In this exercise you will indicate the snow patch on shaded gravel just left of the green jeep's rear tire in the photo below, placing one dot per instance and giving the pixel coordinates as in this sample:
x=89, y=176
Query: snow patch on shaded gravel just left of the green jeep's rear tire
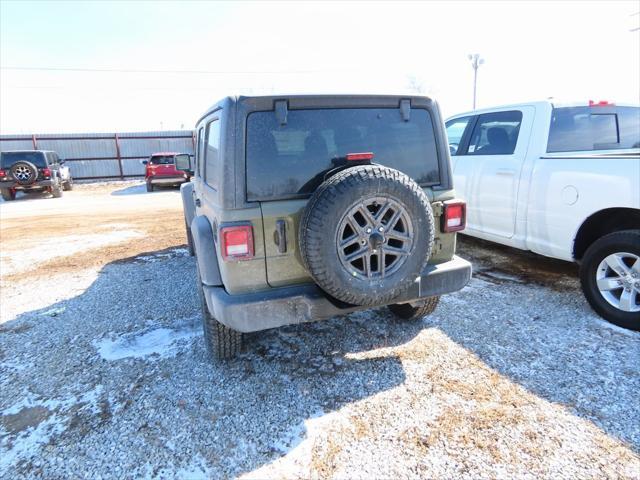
x=161, y=341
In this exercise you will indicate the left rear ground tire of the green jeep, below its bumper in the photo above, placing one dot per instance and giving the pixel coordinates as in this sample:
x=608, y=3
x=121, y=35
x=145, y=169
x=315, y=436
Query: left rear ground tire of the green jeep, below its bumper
x=222, y=342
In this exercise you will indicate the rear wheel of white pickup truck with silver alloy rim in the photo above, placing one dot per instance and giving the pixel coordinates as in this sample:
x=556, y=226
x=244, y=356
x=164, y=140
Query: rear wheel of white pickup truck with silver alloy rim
x=610, y=278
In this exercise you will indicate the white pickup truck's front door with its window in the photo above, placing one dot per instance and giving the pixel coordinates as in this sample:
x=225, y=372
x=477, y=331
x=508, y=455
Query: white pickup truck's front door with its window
x=487, y=168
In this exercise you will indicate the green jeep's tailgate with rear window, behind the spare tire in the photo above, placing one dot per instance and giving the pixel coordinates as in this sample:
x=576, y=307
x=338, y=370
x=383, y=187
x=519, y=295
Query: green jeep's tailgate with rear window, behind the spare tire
x=287, y=162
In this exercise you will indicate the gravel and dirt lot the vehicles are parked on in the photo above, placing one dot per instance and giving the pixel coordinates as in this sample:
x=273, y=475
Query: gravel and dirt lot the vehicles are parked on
x=103, y=372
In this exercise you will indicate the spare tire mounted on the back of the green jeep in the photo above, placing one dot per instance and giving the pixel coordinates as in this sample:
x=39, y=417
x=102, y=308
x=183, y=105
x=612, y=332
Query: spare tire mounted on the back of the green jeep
x=367, y=234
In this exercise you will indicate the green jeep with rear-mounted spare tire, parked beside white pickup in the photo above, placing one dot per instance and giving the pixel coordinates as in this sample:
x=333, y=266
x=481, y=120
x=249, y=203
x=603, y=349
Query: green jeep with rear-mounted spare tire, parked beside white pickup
x=307, y=207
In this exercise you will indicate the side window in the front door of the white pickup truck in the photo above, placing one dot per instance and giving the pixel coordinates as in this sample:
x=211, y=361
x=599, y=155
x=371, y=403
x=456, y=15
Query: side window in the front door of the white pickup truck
x=495, y=133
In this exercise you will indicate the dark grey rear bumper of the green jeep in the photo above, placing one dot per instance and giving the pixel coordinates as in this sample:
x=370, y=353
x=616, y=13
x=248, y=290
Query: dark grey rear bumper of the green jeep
x=306, y=303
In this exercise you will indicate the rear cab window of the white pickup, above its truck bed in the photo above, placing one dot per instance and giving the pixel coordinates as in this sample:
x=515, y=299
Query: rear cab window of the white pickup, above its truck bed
x=590, y=129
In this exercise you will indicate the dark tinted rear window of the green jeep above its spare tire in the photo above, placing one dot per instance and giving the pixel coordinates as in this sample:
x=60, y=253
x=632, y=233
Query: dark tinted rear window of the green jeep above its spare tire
x=291, y=160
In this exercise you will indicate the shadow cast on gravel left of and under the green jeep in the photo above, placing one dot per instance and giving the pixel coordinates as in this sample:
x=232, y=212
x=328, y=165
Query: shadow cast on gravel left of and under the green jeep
x=120, y=375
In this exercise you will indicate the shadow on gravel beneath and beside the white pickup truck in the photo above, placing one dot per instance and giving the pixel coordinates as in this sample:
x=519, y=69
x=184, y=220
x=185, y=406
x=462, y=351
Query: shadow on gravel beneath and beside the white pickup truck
x=572, y=358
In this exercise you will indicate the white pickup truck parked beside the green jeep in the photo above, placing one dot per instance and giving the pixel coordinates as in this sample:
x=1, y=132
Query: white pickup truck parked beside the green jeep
x=562, y=181
